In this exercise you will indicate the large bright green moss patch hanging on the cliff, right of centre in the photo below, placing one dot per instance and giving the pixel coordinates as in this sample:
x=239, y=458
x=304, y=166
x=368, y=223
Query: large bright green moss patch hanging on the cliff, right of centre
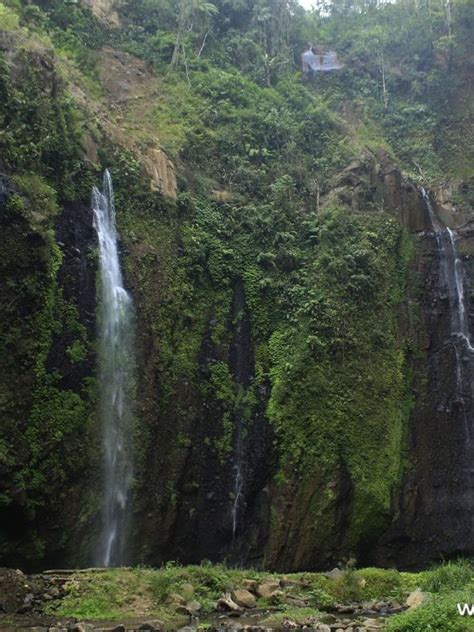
x=327, y=395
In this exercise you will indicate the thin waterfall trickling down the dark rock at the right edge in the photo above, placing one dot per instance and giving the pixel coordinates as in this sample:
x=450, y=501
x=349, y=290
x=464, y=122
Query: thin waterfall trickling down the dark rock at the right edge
x=452, y=277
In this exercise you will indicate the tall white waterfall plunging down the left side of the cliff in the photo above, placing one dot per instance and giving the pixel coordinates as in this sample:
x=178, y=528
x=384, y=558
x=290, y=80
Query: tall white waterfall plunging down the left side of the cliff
x=115, y=381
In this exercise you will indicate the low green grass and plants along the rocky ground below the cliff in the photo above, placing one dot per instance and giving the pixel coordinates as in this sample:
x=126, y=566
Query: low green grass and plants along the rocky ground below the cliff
x=118, y=594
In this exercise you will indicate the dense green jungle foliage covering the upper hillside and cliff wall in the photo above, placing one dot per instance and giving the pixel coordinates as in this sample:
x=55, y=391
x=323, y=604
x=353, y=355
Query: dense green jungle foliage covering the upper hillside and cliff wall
x=258, y=152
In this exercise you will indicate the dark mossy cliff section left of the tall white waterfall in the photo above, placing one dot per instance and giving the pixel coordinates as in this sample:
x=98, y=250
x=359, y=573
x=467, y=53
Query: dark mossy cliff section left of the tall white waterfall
x=48, y=362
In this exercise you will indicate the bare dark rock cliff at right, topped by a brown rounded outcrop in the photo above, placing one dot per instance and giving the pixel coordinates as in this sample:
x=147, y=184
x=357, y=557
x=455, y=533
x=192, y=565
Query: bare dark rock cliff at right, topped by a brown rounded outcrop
x=433, y=505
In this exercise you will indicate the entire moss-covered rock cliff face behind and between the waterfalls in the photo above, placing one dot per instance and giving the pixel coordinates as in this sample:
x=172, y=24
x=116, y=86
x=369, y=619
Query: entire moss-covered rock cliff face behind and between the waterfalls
x=261, y=449
